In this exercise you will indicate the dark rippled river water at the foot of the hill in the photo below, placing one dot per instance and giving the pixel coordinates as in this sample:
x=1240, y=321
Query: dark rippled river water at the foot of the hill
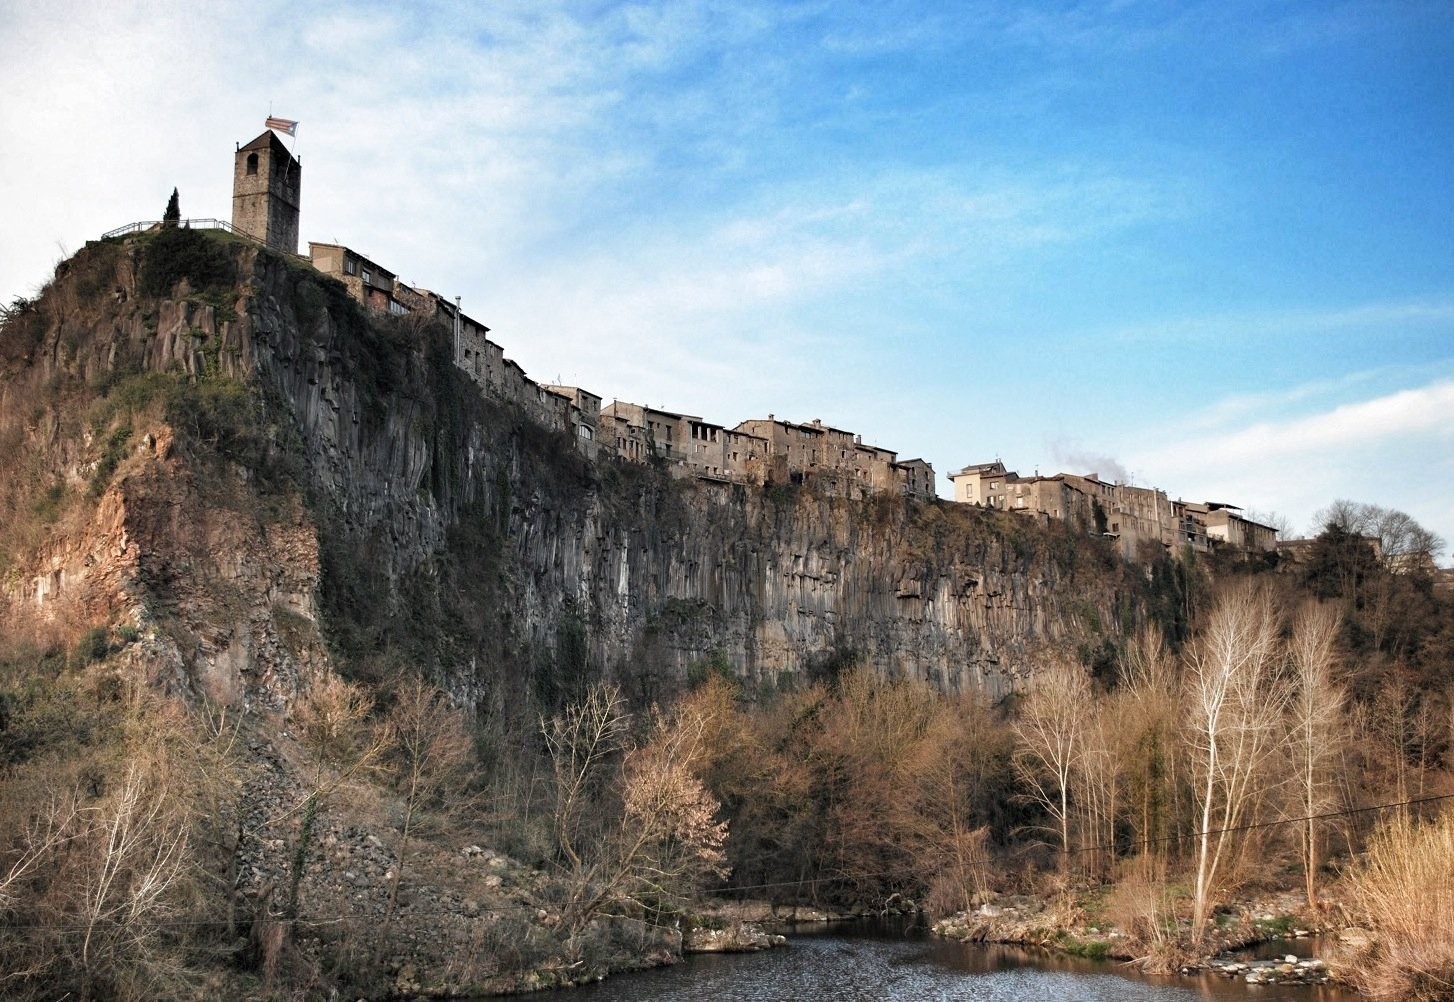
x=879, y=966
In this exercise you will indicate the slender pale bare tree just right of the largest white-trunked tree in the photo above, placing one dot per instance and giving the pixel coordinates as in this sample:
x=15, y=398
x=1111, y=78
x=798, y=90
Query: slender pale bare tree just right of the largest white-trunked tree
x=1318, y=726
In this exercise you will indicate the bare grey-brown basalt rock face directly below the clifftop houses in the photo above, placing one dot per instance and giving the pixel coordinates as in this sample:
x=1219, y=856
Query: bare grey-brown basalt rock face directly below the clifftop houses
x=260, y=478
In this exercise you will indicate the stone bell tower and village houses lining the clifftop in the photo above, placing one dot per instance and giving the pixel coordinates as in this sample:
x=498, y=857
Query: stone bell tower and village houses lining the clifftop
x=267, y=184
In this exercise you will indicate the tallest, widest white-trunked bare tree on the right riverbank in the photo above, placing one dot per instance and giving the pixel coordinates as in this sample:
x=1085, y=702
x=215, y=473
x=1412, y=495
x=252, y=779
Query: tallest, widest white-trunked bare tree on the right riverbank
x=1235, y=725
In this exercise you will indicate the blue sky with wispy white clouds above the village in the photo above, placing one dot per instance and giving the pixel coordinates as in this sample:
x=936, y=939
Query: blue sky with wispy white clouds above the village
x=1206, y=248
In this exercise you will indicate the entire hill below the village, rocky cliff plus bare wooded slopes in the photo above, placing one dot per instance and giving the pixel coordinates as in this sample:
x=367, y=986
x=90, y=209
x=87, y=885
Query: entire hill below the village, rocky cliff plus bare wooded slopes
x=319, y=670
